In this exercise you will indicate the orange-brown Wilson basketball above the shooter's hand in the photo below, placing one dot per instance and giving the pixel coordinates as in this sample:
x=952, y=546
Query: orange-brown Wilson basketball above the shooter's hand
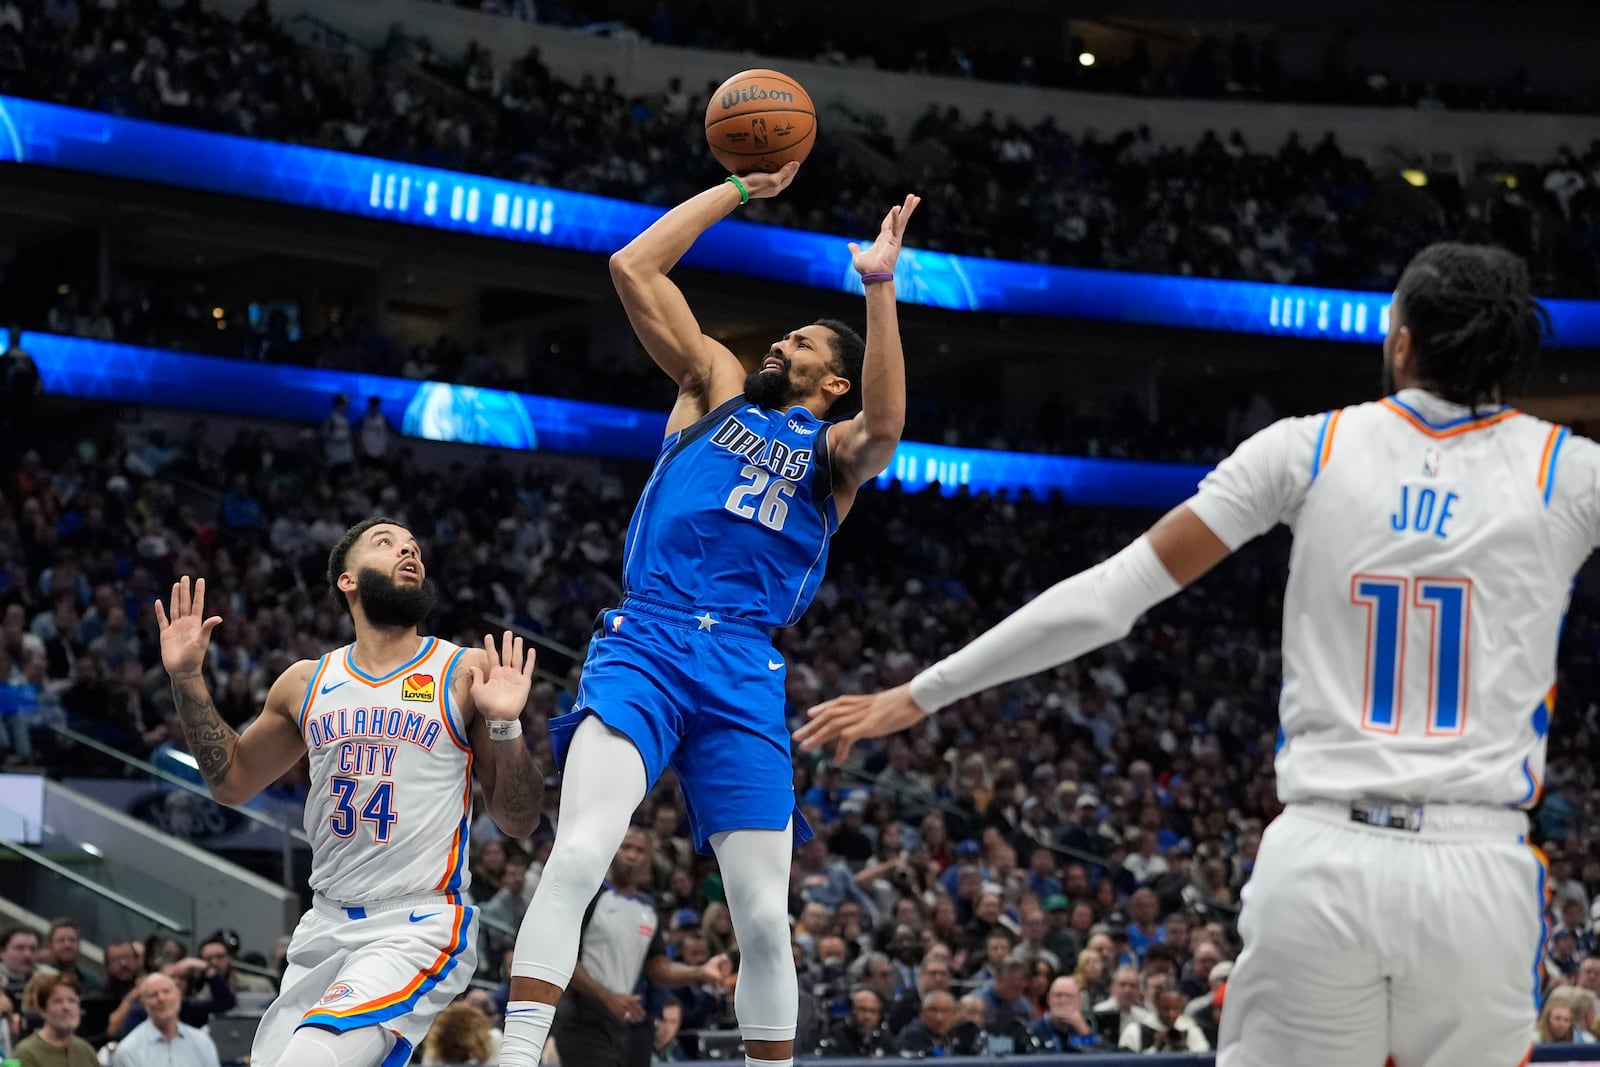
x=758, y=121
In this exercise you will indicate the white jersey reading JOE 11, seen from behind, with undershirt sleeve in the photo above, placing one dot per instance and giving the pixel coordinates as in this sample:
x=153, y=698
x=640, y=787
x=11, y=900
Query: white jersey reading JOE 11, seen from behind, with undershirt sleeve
x=1434, y=556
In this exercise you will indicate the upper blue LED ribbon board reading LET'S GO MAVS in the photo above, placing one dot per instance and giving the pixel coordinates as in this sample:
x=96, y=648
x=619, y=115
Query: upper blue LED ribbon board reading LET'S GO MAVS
x=94, y=143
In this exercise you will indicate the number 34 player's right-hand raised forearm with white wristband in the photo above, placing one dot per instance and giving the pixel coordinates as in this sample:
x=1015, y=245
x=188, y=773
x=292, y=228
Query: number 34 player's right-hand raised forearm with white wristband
x=494, y=690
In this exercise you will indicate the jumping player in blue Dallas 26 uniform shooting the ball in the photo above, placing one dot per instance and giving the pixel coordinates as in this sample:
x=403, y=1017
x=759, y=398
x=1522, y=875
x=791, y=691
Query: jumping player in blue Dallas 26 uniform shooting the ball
x=729, y=541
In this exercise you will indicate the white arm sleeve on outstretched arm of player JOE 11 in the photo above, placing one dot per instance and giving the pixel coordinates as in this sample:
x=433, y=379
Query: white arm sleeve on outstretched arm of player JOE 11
x=1068, y=620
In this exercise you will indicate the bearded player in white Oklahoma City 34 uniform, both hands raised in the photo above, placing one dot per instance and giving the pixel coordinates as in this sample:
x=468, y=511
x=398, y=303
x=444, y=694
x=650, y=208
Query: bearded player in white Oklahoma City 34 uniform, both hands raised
x=394, y=725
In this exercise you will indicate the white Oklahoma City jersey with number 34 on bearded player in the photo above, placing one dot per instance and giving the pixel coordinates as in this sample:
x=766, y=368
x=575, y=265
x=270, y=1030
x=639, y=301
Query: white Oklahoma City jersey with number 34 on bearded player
x=391, y=778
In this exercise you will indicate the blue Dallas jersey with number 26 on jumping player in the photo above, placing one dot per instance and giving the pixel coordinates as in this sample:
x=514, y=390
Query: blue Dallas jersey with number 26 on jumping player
x=737, y=516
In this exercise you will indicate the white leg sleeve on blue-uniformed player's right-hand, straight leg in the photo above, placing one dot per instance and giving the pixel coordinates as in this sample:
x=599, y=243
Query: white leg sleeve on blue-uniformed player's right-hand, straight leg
x=756, y=879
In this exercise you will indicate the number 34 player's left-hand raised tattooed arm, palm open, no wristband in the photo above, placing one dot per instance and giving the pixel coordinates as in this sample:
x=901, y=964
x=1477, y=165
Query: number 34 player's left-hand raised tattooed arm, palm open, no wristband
x=236, y=767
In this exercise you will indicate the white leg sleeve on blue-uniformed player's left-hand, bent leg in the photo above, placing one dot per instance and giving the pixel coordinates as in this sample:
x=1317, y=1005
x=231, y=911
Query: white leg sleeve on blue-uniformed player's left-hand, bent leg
x=602, y=786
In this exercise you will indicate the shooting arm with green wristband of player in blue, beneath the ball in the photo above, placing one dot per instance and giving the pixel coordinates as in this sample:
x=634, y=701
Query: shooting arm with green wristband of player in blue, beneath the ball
x=705, y=370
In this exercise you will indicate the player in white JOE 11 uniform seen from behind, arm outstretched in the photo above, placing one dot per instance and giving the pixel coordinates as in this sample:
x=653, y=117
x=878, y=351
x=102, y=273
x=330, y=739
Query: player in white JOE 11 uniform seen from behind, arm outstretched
x=1394, y=909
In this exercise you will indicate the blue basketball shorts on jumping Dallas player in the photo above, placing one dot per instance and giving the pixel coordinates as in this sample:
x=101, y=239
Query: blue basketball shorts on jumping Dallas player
x=703, y=695
